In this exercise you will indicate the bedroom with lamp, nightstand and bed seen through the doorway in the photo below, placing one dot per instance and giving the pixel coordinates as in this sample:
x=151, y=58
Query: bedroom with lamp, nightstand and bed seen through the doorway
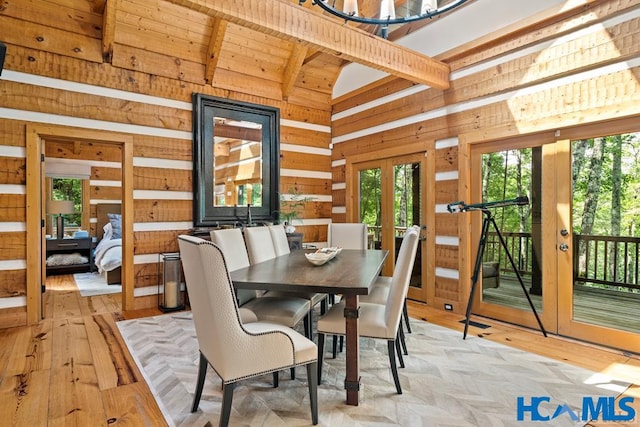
x=85, y=240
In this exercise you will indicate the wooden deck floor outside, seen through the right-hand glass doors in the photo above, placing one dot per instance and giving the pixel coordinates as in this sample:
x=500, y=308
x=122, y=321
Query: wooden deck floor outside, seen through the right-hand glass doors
x=613, y=309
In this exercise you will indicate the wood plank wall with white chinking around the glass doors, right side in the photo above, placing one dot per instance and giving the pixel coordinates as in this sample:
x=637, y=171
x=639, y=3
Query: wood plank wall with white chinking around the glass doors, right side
x=582, y=67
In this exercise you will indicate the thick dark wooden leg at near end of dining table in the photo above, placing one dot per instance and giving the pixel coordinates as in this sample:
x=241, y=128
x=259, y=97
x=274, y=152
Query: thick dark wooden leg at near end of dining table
x=352, y=379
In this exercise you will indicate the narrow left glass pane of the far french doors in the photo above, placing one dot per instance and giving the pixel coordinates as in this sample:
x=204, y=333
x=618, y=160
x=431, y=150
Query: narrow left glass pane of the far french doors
x=370, y=183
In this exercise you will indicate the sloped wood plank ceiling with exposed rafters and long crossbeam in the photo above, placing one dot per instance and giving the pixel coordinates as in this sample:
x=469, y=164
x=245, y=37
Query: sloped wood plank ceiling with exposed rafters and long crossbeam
x=278, y=49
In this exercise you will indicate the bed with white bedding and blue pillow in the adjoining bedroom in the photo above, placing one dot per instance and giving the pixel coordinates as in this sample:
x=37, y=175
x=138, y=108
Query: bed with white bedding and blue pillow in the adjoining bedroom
x=108, y=252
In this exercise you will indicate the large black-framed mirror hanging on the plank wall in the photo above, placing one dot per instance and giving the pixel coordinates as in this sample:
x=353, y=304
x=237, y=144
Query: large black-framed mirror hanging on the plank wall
x=236, y=161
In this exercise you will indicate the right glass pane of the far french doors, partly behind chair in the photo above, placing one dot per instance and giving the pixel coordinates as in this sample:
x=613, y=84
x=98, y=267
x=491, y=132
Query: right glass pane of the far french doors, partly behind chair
x=406, y=206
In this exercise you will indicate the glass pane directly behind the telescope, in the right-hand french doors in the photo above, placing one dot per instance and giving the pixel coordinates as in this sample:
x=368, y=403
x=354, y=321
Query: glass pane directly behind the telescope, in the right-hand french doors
x=507, y=175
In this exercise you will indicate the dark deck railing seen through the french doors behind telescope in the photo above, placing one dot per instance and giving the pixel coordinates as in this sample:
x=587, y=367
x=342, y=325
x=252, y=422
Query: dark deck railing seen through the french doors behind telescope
x=605, y=260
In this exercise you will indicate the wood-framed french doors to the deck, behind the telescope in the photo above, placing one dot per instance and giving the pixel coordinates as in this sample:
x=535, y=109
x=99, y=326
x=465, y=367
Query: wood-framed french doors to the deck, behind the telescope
x=575, y=244
